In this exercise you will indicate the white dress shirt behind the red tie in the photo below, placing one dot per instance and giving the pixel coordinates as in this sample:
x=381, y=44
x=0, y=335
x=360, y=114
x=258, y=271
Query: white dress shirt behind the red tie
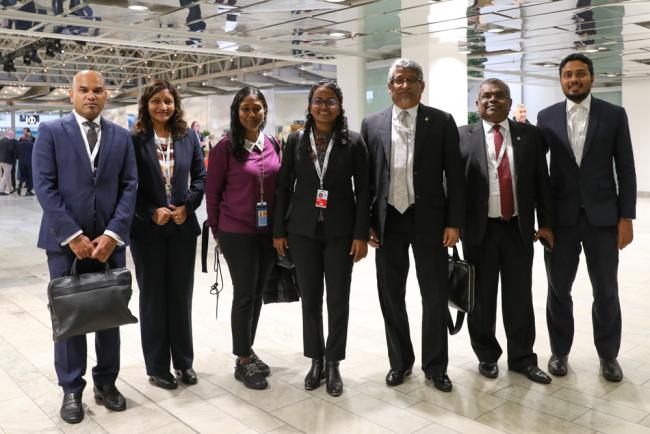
x=494, y=201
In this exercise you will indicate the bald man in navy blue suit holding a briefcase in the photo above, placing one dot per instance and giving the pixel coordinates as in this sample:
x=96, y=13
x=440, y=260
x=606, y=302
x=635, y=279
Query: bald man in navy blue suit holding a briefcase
x=85, y=178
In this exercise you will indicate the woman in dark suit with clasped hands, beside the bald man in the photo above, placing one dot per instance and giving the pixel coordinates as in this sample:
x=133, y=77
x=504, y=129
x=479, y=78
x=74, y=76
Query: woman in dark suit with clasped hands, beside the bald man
x=164, y=232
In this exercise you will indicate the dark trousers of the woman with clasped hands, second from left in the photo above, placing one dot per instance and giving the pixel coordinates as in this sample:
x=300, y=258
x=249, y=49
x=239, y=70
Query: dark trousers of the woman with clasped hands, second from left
x=164, y=268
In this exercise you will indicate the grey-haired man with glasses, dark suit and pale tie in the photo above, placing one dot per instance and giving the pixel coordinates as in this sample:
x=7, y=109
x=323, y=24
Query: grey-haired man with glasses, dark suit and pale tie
x=413, y=148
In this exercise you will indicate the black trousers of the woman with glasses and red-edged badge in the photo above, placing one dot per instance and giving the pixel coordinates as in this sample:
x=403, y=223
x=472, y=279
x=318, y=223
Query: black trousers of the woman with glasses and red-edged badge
x=315, y=258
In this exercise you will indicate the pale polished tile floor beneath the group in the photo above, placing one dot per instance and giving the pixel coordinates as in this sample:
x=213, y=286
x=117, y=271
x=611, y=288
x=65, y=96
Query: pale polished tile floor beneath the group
x=580, y=402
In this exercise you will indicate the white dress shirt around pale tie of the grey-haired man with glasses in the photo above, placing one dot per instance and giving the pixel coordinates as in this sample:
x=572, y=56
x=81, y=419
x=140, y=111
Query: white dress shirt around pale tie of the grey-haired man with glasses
x=398, y=146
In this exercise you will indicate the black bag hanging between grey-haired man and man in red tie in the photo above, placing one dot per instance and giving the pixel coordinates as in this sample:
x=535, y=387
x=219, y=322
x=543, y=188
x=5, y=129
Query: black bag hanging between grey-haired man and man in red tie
x=461, y=290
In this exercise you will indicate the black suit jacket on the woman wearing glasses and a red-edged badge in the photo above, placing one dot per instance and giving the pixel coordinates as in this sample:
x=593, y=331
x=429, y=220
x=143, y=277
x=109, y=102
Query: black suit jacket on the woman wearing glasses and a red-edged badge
x=346, y=182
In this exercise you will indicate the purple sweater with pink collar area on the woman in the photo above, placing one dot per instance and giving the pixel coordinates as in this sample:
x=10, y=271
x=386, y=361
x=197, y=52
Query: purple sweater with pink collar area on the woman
x=233, y=188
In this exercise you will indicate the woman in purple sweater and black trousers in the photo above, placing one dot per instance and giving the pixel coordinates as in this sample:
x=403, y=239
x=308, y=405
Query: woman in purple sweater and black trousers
x=242, y=177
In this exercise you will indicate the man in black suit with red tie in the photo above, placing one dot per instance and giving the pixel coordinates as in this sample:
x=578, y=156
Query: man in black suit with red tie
x=507, y=178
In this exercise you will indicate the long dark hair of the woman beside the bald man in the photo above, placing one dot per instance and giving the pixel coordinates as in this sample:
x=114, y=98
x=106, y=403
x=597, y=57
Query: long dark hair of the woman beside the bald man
x=144, y=125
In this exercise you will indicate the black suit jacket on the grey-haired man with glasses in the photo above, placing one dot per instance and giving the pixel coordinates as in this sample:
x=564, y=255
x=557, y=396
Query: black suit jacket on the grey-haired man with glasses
x=436, y=162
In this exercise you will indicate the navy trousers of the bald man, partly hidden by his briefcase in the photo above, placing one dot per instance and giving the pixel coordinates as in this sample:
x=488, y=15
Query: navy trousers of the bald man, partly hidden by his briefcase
x=70, y=355
